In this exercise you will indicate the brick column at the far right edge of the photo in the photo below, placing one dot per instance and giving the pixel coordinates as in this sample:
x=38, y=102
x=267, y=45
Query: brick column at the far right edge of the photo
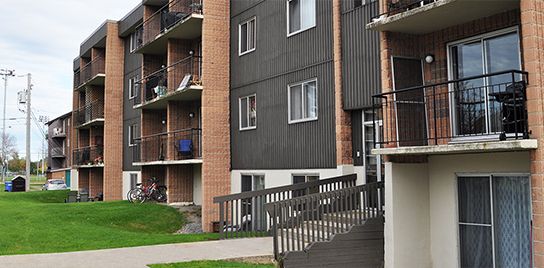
x=532, y=36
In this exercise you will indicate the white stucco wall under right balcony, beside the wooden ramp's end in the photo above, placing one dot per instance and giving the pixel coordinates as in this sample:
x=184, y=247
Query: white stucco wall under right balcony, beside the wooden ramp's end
x=407, y=236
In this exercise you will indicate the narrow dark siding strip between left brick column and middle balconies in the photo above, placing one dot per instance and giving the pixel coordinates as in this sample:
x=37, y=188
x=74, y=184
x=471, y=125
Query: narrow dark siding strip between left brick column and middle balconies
x=133, y=65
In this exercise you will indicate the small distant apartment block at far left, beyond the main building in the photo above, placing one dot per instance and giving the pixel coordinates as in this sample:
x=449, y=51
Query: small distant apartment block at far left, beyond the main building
x=59, y=143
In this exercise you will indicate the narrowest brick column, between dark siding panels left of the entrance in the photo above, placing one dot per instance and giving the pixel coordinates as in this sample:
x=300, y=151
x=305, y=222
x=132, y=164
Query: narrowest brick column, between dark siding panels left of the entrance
x=342, y=118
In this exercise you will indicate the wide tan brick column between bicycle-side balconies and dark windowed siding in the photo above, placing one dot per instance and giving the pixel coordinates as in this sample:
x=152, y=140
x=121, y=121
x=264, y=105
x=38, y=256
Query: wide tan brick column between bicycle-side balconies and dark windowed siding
x=215, y=108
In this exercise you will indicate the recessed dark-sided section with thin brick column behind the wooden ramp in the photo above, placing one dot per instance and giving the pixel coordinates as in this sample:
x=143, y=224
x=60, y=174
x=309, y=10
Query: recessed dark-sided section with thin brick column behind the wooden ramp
x=302, y=78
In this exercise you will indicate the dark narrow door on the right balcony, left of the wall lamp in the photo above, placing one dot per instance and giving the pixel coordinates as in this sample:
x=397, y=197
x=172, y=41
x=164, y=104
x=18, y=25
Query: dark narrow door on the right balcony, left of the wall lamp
x=409, y=105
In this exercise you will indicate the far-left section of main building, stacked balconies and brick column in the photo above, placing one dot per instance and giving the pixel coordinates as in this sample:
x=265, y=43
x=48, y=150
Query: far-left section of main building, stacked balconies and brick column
x=97, y=121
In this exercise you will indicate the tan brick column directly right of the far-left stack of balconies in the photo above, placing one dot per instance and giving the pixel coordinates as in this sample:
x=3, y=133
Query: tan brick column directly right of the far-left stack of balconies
x=113, y=115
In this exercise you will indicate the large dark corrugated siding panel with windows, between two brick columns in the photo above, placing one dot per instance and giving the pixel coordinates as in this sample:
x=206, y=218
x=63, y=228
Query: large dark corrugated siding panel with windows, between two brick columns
x=278, y=61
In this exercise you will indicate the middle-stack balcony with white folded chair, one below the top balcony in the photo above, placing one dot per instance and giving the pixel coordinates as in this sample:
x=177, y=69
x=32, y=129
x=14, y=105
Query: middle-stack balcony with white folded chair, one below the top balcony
x=180, y=81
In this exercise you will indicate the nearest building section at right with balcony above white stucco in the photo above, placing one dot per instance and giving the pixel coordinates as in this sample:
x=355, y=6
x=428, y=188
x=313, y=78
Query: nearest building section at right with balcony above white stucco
x=461, y=132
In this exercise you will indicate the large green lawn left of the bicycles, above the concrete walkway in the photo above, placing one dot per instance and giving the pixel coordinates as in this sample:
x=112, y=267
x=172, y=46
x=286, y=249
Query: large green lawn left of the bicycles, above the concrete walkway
x=40, y=222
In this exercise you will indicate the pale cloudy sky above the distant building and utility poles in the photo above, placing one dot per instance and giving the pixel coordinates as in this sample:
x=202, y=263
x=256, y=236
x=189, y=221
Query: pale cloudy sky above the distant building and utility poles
x=43, y=38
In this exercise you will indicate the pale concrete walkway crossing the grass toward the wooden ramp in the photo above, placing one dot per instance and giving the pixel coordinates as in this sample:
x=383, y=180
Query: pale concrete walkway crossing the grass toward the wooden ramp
x=141, y=256
